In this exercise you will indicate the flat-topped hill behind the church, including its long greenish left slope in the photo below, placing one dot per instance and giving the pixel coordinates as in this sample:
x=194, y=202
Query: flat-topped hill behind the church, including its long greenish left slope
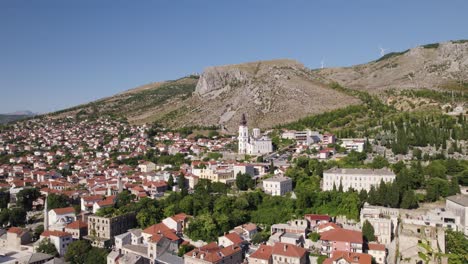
x=268, y=92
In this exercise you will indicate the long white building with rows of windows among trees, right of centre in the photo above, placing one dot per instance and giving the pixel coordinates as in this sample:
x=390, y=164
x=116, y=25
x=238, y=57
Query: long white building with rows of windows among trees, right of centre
x=358, y=179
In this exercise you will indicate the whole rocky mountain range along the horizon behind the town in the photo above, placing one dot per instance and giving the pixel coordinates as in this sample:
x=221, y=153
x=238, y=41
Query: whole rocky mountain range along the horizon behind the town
x=281, y=91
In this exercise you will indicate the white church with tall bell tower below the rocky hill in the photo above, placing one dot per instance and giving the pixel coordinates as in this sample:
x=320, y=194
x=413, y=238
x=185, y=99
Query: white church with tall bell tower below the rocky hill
x=254, y=144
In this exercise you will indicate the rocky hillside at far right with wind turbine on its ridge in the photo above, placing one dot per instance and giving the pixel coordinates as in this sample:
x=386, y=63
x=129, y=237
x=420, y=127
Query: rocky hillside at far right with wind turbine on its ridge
x=432, y=66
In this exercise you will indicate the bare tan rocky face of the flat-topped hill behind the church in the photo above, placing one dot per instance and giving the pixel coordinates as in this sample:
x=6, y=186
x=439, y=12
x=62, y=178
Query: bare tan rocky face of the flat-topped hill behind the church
x=268, y=92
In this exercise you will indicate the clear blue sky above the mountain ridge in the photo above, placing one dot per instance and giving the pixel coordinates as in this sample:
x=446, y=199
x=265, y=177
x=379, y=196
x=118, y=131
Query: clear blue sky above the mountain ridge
x=56, y=54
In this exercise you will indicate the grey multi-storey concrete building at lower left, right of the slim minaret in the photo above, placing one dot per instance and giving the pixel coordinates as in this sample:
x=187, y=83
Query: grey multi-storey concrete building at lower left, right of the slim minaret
x=102, y=230
